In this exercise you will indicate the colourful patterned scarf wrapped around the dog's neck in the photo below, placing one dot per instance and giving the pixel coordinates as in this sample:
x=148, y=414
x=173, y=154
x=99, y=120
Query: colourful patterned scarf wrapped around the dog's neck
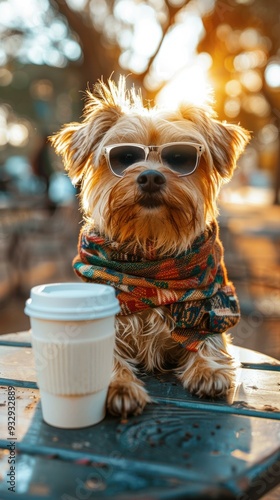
x=193, y=285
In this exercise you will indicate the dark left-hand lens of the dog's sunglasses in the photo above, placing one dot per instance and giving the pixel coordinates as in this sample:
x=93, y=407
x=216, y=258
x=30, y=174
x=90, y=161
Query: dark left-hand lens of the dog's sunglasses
x=122, y=157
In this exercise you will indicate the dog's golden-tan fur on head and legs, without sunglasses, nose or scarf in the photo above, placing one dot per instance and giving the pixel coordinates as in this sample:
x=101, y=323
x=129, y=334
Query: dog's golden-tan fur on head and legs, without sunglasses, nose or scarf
x=114, y=115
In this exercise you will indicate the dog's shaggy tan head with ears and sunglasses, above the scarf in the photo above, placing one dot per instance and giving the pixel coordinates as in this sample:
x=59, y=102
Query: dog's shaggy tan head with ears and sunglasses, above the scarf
x=165, y=194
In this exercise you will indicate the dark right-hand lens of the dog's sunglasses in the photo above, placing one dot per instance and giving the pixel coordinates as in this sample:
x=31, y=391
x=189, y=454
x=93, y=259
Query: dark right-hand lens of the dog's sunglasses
x=181, y=158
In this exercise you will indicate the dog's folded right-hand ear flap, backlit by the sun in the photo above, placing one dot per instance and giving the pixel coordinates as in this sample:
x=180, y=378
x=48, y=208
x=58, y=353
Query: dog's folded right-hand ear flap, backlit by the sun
x=226, y=143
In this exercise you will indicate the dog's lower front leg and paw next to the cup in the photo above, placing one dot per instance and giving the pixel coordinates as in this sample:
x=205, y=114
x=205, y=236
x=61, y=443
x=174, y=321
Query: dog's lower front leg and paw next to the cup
x=127, y=394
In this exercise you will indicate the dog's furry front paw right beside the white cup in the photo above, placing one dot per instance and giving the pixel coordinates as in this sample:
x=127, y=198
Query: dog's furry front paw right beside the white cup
x=126, y=398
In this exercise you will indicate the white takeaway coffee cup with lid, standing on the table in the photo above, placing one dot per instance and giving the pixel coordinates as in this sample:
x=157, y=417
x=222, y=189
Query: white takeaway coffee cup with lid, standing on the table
x=73, y=336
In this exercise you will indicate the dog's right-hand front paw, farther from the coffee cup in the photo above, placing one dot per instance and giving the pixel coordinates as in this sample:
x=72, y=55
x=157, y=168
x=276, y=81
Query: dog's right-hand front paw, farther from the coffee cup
x=210, y=371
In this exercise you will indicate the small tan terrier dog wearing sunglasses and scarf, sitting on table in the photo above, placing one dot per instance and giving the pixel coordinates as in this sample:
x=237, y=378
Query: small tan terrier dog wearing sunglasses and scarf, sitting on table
x=149, y=181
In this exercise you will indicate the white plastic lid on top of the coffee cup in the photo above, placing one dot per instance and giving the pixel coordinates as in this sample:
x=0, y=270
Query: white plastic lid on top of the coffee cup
x=72, y=301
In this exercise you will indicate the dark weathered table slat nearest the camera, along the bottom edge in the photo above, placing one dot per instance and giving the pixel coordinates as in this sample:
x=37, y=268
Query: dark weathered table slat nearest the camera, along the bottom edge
x=101, y=480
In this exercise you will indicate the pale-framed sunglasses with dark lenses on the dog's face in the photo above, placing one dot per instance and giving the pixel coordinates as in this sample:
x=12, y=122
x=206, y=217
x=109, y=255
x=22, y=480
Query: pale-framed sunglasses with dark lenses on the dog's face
x=181, y=157
